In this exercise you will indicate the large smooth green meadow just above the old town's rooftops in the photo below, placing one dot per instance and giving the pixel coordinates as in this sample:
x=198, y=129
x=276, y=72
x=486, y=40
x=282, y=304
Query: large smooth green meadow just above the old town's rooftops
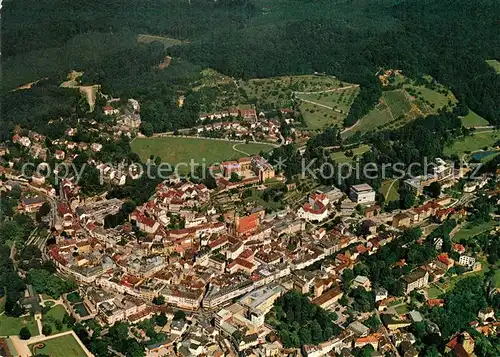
x=175, y=150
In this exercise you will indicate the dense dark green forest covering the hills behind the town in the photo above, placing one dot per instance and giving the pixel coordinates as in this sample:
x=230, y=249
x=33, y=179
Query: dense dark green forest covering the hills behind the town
x=351, y=39
